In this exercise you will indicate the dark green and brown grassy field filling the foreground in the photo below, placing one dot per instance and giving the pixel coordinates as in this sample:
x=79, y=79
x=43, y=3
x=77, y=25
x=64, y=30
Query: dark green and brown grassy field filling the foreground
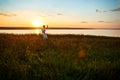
x=60, y=57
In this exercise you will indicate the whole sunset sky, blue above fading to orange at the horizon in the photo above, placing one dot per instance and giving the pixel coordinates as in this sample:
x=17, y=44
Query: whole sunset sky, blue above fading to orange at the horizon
x=60, y=13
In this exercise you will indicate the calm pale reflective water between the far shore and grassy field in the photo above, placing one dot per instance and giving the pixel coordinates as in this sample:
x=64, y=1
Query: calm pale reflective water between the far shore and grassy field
x=96, y=32
